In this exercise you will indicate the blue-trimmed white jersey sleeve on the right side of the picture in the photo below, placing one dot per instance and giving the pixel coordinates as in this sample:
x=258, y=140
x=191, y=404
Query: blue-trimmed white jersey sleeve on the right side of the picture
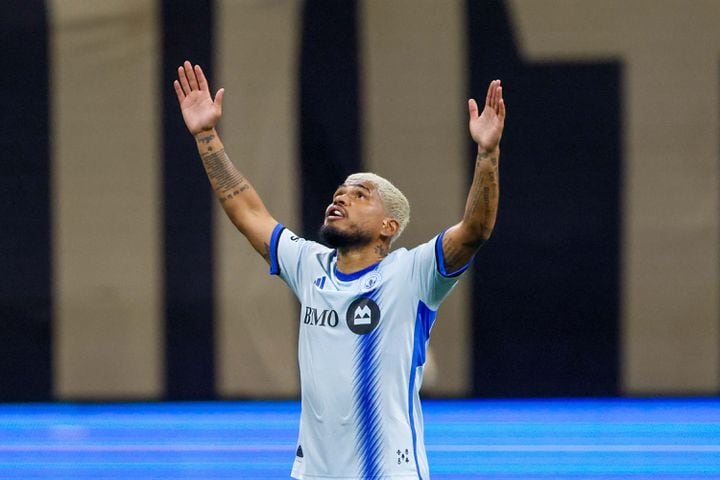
x=430, y=274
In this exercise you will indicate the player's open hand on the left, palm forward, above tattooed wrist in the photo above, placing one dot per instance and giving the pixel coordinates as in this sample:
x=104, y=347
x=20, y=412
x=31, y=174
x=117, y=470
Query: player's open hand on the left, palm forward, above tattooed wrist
x=199, y=110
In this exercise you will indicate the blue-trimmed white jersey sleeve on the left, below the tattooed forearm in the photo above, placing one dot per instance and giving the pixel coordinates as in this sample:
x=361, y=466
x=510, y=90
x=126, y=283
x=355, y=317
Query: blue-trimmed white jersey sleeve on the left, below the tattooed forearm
x=288, y=252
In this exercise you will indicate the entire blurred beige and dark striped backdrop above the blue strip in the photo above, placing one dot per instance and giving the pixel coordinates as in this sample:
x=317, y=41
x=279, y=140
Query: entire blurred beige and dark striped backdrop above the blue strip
x=121, y=280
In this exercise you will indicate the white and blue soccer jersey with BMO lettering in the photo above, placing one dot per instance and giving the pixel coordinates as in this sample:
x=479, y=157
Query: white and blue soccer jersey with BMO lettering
x=361, y=351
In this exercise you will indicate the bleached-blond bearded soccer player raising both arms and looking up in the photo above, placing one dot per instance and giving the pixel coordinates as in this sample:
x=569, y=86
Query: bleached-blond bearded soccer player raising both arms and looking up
x=366, y=312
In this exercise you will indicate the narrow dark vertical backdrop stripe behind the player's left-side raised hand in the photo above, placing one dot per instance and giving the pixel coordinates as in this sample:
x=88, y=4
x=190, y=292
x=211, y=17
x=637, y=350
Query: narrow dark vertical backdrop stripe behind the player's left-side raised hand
x=189, y=348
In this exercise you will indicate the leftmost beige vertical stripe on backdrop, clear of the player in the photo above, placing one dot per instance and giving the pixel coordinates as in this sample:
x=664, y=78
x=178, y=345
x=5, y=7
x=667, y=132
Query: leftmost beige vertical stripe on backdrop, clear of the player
x=107, y=201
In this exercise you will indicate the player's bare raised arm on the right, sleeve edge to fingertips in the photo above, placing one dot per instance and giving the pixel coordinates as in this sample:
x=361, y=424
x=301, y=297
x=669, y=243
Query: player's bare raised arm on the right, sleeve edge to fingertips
x=462, y=240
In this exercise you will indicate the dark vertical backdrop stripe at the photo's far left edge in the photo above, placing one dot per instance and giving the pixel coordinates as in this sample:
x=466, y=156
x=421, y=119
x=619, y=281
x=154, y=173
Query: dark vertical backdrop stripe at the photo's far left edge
x=25, y=299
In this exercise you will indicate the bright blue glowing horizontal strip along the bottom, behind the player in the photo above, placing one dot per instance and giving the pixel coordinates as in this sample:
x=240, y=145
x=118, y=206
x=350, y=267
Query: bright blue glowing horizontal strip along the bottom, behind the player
x=562, y=439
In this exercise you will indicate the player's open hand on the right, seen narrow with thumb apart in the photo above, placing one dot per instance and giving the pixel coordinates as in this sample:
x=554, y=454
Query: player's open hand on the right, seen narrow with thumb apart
x=486, y=128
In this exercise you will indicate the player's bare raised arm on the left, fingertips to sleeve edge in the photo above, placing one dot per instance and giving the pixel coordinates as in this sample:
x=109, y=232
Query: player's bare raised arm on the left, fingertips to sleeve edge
x=239, y=199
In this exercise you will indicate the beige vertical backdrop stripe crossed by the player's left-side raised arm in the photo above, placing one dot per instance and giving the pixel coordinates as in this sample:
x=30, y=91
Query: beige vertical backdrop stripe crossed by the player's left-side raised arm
x=257, y=57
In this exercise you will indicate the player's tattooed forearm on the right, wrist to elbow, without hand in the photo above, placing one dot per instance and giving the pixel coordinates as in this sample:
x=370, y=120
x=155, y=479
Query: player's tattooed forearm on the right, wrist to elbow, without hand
x=482, y=201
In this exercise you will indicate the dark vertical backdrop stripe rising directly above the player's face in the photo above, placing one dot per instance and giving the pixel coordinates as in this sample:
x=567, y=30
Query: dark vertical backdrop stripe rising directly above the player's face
x=330, y=138
